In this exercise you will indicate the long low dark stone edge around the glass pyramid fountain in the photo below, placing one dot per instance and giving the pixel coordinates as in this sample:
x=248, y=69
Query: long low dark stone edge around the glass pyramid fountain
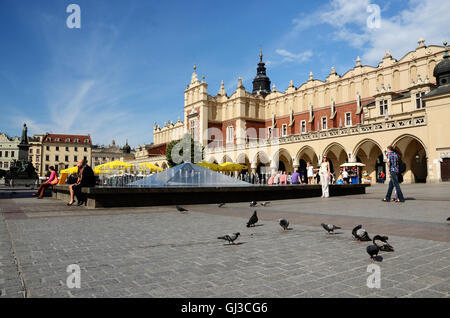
x=105, y=197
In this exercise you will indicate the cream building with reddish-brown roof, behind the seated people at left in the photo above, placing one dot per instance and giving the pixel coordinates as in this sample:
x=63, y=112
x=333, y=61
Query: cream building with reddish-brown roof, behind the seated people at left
x=64, y=151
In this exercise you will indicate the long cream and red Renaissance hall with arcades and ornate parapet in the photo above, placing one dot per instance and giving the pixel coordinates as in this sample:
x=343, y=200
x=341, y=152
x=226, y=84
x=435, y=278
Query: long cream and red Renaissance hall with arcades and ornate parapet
x=352, y=117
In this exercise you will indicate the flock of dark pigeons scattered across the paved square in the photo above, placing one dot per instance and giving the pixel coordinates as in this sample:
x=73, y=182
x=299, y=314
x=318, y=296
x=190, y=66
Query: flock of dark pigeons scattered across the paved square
x=380, y=242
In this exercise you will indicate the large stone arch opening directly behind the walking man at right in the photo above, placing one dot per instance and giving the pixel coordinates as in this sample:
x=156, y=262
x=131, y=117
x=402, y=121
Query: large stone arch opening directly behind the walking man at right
x=414, y=154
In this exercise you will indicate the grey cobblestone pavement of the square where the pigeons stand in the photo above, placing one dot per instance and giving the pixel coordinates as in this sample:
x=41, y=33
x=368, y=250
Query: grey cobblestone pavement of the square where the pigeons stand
x=157, y=252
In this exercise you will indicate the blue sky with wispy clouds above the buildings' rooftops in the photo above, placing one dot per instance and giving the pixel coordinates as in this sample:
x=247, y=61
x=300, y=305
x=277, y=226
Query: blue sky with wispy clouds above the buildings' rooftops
x=128, y=65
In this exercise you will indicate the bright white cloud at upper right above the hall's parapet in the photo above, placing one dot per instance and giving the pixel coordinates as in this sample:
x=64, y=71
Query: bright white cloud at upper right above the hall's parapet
x=399, y=32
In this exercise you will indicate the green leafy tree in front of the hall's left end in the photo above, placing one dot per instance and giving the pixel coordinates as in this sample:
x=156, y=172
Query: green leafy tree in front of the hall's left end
x=177, y=147
